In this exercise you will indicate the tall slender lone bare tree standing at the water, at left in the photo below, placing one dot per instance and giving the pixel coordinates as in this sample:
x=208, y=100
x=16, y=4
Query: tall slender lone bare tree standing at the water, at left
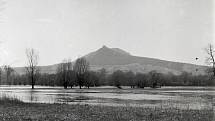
x=31, y=68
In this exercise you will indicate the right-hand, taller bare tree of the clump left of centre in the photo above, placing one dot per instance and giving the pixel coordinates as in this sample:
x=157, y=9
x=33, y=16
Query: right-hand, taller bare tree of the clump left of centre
x=81, y=68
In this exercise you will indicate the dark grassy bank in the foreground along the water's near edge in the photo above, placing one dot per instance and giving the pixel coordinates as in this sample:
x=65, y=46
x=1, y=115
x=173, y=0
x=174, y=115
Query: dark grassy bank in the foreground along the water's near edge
x=14, y=110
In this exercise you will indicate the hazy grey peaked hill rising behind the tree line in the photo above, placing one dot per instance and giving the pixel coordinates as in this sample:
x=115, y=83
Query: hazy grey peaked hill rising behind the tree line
x=113, y=59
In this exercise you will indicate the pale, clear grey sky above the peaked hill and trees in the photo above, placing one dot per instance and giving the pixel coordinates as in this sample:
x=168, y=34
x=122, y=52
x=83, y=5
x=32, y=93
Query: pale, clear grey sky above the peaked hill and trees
x=174, y=30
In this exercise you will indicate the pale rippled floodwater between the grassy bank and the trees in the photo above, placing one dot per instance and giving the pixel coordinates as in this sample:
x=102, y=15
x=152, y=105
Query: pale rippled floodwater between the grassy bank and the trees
x=165, y=97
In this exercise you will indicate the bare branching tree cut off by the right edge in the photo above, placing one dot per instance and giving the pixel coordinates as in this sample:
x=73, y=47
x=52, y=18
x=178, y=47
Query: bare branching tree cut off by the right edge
x=210, y=60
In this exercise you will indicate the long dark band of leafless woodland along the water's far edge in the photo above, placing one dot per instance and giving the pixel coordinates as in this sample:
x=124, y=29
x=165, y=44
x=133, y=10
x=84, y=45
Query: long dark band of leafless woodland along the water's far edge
x=68, y=76
